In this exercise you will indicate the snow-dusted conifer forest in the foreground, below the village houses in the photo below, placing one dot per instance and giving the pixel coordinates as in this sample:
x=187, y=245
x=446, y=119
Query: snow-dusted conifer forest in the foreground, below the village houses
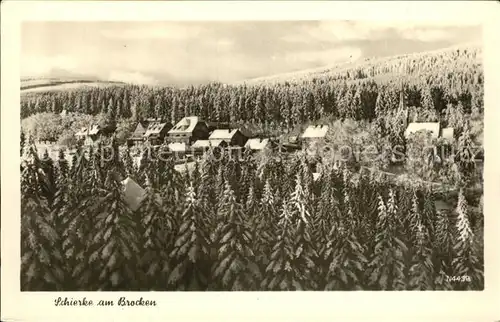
x=238, y=224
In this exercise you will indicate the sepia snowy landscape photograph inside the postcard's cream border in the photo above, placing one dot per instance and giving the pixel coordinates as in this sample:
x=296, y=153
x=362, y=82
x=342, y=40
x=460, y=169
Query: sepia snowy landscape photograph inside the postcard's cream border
x=328, y=155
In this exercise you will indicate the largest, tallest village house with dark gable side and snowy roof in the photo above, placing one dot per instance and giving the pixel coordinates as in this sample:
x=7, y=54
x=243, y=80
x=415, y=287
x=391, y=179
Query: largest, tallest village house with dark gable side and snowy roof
x=189, y=130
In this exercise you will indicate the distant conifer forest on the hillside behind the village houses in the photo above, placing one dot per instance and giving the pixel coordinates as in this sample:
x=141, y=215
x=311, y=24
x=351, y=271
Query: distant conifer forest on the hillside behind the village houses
x=433, y=83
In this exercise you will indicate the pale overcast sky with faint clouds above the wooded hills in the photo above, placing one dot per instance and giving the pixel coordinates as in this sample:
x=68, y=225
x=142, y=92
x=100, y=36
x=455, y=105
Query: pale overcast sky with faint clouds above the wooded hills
x=197, y=52
